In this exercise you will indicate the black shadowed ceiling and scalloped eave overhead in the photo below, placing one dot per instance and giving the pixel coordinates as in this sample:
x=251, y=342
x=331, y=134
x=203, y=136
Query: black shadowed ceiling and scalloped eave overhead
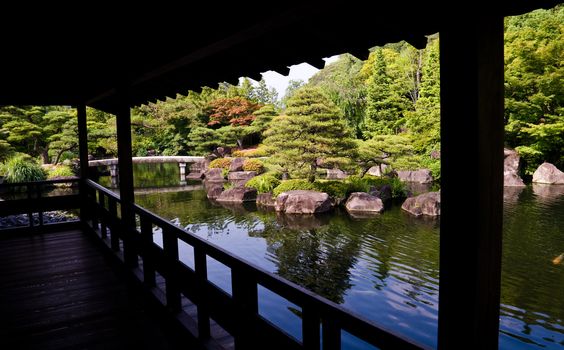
x=67, y=56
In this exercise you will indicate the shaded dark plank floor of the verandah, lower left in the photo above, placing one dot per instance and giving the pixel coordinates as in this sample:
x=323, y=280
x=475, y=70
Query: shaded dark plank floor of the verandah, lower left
x=59, y=291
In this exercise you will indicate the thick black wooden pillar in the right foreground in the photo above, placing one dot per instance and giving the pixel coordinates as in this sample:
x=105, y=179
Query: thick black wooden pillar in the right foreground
x=472, y=182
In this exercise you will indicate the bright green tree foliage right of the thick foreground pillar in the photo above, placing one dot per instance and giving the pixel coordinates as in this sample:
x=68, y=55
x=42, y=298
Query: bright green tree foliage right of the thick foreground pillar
x=534, y=86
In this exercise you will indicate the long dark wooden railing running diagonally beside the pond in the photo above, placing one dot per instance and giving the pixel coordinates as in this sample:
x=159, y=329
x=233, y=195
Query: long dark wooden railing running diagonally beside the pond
x=322, y=320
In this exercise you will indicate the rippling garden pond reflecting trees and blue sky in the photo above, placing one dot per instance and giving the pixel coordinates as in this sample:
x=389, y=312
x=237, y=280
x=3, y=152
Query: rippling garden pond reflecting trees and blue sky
x=385, y=268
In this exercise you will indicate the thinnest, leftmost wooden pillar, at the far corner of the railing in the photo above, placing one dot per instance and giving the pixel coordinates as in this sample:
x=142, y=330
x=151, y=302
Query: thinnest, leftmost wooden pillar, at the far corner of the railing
x=83, y=159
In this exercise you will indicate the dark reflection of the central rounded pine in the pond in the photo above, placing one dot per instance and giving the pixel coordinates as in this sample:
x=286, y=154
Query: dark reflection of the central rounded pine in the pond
x=318, y=259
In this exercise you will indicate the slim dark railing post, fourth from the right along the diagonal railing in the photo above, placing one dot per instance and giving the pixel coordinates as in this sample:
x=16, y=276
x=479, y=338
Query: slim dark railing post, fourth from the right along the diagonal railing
x=200, y=266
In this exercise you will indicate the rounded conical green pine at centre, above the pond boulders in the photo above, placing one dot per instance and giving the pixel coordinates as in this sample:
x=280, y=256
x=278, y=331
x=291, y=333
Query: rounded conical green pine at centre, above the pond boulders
x=313, y=129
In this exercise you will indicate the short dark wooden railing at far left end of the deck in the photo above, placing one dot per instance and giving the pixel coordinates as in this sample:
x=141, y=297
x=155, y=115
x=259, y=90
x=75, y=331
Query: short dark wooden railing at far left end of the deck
x=38, y=197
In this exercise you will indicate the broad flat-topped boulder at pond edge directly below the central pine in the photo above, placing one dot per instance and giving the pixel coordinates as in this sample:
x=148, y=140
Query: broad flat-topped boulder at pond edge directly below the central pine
x=303, y=202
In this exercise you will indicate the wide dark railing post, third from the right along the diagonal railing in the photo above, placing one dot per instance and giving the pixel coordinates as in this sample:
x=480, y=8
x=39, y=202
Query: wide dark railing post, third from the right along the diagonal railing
x=245, y=298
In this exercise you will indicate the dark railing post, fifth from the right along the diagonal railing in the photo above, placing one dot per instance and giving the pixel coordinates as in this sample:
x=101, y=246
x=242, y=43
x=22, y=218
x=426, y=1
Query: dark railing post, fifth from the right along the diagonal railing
x=170, y=248
